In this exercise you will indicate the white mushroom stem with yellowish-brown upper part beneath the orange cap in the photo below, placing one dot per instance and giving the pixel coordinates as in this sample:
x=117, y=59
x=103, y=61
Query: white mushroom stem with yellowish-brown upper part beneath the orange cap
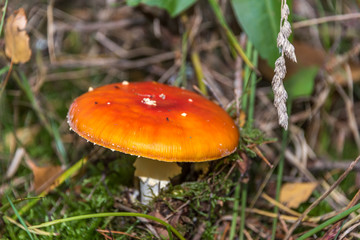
x=154, y=175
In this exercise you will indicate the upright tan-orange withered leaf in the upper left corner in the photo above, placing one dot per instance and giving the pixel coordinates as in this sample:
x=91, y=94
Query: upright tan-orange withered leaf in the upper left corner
x=16, y=39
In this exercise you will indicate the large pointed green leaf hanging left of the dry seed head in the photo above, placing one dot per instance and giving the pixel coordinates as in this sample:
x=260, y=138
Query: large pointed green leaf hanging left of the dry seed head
x=261, y=22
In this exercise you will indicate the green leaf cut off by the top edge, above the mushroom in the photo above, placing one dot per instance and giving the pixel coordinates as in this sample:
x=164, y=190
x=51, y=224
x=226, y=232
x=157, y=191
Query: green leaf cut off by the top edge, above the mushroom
x=174, y=7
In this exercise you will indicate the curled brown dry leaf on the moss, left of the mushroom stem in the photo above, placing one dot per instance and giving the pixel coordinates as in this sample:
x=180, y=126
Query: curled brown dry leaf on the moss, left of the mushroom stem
x=44, y=176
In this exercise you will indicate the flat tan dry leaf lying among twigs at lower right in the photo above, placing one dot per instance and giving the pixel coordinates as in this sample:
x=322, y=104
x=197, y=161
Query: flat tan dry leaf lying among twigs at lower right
x=293, y=194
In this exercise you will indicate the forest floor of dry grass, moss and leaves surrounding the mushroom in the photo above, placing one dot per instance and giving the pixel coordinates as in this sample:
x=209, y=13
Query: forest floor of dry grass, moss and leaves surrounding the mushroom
x=280, y=184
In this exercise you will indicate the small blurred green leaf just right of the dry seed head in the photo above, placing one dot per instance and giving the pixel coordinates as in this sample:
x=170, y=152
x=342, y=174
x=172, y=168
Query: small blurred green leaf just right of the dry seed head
x=301, y=84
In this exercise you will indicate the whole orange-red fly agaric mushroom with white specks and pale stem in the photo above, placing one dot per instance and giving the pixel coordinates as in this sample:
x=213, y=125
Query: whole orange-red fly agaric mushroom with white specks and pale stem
x=157, y=122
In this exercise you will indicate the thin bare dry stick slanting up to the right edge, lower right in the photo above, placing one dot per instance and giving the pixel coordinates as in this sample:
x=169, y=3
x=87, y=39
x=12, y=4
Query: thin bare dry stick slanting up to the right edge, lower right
x=314, y=204
